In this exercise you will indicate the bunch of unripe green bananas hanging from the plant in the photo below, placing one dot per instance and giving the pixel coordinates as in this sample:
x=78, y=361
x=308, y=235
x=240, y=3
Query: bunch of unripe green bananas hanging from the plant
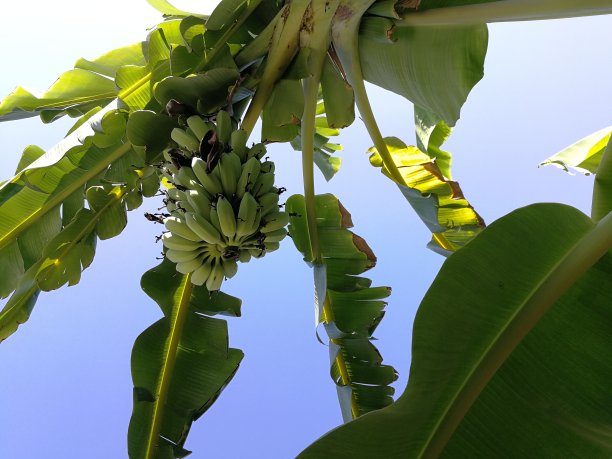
x=223, y=205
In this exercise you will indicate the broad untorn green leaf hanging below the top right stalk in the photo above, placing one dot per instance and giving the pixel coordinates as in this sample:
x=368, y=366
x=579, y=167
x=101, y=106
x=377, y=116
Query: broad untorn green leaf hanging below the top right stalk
x=434, y=67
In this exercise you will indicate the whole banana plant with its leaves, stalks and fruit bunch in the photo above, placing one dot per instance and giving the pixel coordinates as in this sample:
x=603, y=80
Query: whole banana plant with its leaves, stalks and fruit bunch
x=172, y=117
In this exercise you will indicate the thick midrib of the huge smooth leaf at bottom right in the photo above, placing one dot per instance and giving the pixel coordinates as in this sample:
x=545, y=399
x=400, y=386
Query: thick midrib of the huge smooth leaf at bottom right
x=578, y=260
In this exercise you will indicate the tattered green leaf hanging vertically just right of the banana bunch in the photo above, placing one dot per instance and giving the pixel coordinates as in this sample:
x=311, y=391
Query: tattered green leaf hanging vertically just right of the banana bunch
x=346, y=304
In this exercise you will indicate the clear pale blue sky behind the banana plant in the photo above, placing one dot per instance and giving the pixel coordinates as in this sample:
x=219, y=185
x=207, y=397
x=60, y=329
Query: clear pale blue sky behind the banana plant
x=65, y=386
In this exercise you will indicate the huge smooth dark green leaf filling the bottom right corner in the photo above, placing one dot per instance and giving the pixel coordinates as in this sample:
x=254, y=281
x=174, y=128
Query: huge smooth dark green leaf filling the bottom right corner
x=511, y=349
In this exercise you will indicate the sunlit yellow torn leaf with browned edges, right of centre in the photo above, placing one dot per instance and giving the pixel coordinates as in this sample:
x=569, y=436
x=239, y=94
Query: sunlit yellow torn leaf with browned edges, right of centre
x=438, y=202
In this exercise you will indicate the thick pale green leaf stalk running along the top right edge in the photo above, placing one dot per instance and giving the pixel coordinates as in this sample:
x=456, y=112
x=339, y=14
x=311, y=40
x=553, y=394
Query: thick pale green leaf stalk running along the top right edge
x=505, y=11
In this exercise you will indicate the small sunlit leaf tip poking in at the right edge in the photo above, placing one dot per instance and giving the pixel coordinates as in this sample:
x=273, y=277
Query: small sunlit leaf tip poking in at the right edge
x=583, y=156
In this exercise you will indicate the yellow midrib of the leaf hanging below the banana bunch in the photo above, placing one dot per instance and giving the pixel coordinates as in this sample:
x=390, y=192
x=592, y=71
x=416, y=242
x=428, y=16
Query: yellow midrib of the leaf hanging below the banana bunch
x=176, y=330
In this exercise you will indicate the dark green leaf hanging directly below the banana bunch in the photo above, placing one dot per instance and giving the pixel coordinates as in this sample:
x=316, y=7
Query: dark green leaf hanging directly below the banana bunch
x=180, y=364
